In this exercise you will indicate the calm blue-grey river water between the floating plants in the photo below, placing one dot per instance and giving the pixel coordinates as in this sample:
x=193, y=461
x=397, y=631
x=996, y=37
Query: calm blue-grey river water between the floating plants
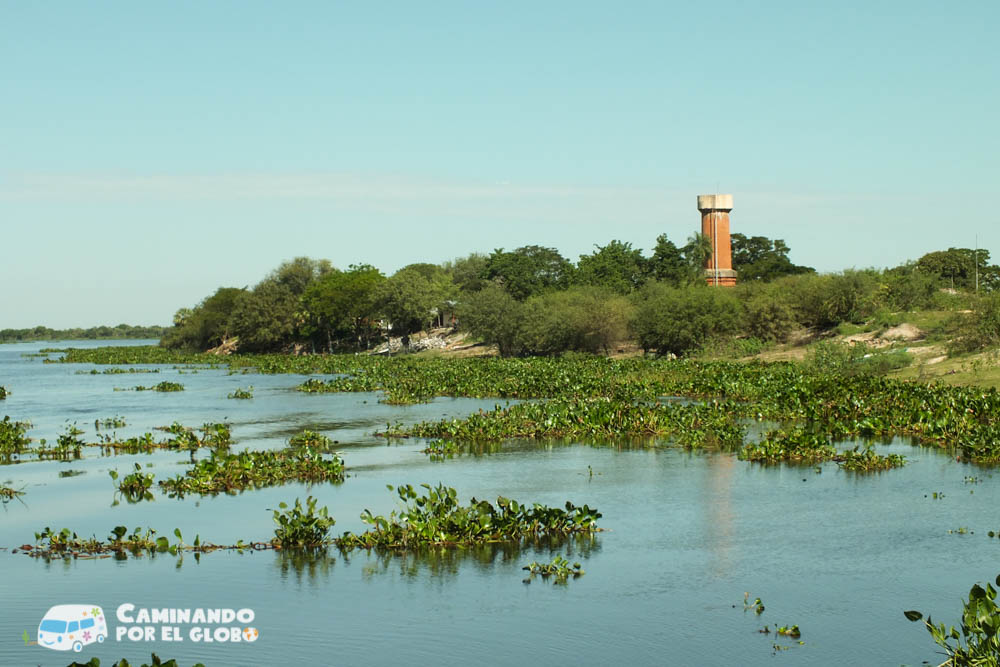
x=686, y=534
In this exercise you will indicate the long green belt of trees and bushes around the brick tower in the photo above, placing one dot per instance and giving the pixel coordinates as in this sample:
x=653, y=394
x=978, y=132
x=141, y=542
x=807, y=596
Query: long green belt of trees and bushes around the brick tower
x=534, y=301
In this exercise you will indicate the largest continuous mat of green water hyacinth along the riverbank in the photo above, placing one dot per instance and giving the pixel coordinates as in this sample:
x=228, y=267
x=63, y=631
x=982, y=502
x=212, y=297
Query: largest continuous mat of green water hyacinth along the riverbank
x=832, y=398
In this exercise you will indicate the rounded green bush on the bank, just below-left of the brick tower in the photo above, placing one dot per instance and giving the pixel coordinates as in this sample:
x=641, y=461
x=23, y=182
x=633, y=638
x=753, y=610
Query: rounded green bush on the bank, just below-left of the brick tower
x=679, y=321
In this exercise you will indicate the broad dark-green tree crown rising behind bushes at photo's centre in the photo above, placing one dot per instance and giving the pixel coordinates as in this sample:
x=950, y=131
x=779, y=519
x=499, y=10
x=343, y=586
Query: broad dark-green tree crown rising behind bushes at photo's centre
x=529, y=270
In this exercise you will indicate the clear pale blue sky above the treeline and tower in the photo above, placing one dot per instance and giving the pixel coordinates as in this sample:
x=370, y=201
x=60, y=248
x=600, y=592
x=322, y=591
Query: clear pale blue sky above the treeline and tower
x=152, y=152
